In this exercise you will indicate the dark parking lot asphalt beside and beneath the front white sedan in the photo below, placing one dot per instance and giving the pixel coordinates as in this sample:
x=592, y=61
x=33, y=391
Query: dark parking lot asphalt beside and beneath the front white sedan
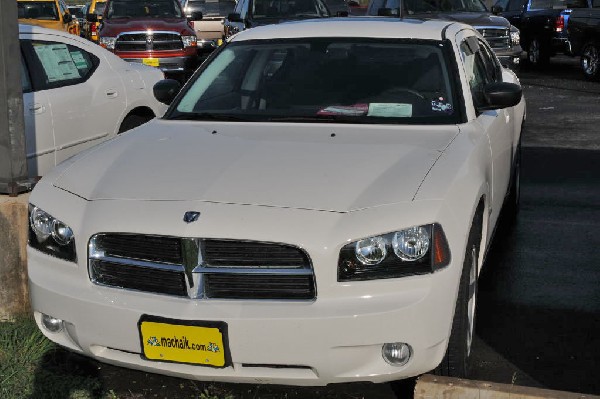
x=538, y=318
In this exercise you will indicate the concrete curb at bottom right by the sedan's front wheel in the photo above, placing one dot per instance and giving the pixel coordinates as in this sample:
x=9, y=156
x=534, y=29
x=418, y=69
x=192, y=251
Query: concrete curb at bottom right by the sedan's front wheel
x=434, y=387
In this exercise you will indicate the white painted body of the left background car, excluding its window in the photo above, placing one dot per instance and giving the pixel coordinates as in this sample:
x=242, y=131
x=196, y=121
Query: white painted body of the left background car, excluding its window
x=62, y=121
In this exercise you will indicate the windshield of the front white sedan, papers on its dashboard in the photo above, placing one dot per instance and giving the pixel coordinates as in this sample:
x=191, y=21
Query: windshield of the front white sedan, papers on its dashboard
x=336, y=80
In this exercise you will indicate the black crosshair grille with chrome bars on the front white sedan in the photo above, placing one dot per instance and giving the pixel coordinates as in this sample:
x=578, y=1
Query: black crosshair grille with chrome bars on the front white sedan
x=201, y=268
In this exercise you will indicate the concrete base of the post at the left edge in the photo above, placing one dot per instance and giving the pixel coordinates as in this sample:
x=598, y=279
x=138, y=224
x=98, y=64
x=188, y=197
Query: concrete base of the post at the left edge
x=14, y=293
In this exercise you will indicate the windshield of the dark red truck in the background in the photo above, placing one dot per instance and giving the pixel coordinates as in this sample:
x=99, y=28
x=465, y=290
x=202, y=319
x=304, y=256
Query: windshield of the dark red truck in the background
x=144, y=8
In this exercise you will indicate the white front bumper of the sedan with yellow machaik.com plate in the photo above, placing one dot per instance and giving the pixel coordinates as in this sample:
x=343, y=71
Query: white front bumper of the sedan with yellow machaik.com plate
x=335, y=338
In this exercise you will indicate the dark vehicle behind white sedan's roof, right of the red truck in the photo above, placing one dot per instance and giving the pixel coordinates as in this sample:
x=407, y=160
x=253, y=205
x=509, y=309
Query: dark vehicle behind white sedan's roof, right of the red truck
x=251, y=13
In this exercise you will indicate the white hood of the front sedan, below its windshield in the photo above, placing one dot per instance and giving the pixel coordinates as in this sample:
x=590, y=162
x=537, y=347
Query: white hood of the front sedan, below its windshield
x=306, y=166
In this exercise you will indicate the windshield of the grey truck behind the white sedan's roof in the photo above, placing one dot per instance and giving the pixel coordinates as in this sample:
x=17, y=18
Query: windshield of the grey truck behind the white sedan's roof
x=426, y=6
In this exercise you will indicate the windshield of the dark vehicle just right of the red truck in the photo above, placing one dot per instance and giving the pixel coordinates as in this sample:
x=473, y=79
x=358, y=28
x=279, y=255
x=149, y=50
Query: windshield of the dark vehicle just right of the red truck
x=288, y=9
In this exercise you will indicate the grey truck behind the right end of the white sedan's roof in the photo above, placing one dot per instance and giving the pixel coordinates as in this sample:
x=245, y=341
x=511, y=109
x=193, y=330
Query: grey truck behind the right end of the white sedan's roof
x=500, y=34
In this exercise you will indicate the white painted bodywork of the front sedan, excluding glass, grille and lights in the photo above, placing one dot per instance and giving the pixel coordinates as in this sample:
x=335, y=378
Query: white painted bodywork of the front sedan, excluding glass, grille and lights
x=293, y=183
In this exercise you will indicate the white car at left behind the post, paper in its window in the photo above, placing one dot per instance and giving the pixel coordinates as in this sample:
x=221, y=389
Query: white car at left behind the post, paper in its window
x=76, y=95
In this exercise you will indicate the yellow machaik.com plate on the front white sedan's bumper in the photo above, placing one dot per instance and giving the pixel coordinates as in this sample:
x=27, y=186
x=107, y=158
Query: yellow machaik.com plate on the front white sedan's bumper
x=183, y=342
